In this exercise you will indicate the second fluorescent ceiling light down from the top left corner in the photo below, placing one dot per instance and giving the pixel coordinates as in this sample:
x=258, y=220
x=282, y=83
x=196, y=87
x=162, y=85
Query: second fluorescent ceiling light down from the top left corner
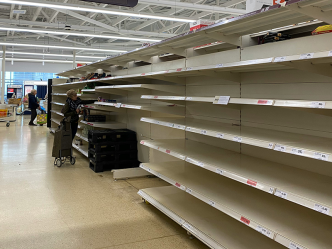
x=78, y=34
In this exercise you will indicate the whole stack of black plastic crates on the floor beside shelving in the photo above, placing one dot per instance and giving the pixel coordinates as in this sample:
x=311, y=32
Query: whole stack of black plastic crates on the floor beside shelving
x=112, y=149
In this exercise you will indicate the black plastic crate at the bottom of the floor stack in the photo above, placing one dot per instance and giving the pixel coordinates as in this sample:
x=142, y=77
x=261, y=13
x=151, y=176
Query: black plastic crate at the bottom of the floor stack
x=107, y=166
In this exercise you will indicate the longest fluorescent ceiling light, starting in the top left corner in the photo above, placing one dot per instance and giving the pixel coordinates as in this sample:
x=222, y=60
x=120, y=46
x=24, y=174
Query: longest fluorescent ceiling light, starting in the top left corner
x=95, y=10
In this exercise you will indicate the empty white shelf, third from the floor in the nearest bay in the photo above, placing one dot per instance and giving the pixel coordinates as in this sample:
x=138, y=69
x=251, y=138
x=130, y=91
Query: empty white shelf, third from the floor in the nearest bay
x=308, y=189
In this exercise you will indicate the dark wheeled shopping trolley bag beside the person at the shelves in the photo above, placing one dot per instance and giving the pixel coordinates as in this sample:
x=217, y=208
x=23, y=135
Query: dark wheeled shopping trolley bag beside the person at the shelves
x=62, y=146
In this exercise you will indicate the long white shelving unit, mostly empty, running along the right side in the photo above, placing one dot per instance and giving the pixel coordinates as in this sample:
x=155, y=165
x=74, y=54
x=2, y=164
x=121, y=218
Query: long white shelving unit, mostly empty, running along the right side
x=242, y=131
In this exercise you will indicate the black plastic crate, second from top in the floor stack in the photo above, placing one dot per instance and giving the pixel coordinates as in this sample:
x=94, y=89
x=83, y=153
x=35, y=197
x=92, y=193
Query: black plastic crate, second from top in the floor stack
x=113, y=147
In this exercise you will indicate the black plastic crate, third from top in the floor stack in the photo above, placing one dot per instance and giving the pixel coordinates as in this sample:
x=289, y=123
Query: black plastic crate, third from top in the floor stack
x=113, y=156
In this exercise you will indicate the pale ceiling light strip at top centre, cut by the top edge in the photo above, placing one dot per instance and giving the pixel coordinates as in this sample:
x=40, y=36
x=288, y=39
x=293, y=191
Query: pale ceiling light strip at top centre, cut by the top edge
x=194, y=6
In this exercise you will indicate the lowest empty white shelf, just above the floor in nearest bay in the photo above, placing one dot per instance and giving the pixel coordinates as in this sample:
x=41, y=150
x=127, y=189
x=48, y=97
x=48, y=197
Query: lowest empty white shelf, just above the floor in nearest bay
x=207, y=224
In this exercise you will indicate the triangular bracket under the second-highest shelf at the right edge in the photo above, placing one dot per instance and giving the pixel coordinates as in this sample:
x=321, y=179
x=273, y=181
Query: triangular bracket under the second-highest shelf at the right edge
x=321, y=69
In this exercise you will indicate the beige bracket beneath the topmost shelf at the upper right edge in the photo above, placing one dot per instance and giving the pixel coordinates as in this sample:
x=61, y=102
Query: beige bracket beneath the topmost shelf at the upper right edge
x=312, y=11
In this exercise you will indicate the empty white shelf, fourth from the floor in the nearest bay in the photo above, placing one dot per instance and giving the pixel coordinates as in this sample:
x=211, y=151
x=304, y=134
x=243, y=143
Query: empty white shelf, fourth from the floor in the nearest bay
x=297, y=144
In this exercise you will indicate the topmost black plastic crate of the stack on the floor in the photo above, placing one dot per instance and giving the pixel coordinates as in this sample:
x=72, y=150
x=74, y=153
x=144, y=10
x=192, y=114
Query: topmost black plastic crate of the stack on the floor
x=111, y=136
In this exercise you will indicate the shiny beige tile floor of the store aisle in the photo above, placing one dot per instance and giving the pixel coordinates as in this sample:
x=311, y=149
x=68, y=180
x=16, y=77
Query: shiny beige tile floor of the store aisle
x=42, y=206
